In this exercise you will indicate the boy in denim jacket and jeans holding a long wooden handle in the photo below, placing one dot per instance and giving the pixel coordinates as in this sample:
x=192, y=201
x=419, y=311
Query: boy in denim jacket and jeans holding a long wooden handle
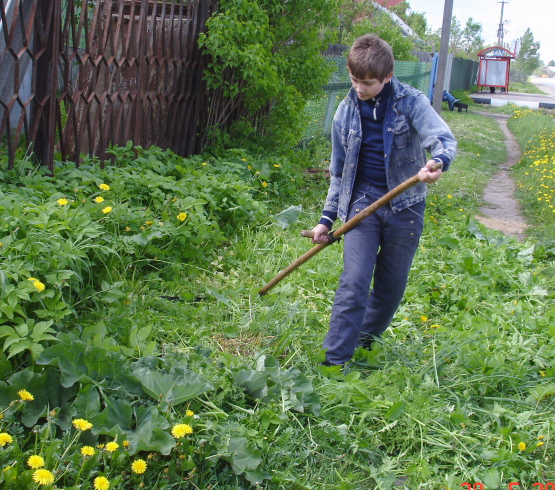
x=380, y=135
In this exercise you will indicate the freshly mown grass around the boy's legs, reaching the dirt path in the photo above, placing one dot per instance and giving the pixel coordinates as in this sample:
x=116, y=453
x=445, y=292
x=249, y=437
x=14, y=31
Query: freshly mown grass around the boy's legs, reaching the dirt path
x=456, y=384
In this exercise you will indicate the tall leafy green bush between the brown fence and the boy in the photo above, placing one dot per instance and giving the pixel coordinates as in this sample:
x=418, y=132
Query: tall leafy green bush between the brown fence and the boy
x=266, y=63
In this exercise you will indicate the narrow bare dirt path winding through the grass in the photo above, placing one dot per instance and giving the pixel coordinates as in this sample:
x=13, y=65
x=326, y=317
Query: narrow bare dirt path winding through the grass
x=501, y=211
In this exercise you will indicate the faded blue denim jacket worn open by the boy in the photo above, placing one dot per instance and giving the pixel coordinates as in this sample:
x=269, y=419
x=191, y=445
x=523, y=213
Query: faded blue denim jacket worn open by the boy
x=411, y=127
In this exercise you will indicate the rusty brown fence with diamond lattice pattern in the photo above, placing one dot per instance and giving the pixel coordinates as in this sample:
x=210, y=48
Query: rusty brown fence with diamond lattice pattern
x=77, y=76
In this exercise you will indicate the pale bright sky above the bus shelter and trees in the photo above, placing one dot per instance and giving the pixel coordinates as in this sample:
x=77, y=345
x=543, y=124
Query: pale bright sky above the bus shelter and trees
x=517, y=14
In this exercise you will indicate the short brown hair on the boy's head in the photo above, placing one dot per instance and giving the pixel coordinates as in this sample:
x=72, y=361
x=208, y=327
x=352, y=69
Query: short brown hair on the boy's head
x=372, y=57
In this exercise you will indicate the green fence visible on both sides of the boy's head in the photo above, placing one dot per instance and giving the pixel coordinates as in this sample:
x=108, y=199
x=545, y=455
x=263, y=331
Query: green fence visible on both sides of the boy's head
x=319, y=112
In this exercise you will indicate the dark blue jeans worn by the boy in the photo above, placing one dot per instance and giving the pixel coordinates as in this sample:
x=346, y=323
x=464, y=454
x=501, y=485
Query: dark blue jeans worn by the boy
x=382, y=246
